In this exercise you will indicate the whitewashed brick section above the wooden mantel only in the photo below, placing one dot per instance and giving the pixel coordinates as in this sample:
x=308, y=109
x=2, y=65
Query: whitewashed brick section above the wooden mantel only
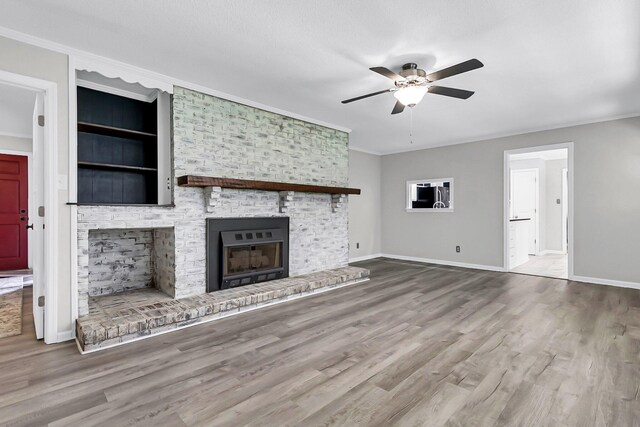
x=237, y=141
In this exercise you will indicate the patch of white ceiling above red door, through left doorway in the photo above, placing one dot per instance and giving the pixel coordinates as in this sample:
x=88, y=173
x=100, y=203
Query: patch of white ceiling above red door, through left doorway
x=16, y=111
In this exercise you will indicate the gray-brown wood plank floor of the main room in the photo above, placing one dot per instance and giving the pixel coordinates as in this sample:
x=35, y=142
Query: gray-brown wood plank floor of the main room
x=417, y=345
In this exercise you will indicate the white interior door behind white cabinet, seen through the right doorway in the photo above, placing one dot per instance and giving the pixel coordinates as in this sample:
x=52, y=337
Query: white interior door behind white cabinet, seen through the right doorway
x=524, y=202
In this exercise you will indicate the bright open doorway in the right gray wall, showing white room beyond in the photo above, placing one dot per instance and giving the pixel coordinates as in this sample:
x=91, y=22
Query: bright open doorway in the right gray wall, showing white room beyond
x=538, y=206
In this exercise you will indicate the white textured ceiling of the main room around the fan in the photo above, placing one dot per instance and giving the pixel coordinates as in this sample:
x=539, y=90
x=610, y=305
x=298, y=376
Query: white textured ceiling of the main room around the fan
x=548, y=63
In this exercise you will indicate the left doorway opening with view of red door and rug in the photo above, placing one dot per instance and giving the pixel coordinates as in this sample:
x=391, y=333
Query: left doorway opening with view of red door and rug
x=27, y=191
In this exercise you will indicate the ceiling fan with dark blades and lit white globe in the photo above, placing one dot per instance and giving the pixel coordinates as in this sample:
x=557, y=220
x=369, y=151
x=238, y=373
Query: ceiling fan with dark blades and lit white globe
x=411, y=83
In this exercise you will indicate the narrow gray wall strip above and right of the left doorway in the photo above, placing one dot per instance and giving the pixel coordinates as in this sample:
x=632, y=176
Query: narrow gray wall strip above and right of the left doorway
x=21, y=58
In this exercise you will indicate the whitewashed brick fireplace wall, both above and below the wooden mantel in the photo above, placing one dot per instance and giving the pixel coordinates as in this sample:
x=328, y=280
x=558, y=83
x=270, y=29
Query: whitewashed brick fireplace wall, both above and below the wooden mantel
x=215, y=137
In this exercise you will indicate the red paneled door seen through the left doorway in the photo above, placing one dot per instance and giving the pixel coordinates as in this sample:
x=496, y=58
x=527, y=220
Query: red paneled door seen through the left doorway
x=13, y=212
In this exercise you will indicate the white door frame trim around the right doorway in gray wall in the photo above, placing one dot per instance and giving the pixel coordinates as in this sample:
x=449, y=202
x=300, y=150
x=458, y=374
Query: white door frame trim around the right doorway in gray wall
x=570, y=204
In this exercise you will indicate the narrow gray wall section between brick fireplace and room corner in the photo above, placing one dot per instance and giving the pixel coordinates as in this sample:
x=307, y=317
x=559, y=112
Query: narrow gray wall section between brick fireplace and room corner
x=365, y=223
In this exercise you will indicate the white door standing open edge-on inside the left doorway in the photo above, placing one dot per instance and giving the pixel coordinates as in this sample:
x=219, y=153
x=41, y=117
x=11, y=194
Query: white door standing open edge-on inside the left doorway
x=36, y=200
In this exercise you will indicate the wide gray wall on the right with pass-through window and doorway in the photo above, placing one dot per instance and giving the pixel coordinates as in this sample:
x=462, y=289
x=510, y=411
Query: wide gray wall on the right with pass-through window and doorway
x=607, y=181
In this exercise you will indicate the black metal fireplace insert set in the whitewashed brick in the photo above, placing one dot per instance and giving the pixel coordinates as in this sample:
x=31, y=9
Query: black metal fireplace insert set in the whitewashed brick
x=242, y=251
